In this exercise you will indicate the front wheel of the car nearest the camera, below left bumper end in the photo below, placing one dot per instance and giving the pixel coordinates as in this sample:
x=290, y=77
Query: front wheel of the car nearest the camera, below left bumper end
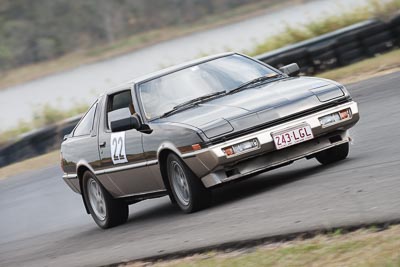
x=187, y=189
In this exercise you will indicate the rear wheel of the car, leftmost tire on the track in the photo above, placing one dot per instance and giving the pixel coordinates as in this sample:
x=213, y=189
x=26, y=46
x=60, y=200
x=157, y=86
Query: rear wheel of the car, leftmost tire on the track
x=112, y=212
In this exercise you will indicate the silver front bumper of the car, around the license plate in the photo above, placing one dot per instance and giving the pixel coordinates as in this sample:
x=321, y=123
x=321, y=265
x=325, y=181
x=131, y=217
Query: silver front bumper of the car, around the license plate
x=214, y=167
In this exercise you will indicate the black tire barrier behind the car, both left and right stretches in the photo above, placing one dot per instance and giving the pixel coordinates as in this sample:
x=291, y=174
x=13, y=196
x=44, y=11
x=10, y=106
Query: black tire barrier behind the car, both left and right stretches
x=335, y=49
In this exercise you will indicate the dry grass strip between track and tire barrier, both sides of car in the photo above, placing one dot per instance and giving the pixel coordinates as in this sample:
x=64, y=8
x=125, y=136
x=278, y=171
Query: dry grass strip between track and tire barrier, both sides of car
x=365, y=69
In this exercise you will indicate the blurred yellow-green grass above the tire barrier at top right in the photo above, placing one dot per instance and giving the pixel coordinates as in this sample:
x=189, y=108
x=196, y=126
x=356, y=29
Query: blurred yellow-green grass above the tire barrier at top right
x=291, y=35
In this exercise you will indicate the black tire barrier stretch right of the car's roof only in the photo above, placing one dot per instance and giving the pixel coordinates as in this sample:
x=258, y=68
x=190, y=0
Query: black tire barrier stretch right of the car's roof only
x=338, y=48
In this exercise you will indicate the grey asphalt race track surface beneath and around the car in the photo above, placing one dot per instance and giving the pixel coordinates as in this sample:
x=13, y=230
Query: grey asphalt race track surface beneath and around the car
x=43, y=222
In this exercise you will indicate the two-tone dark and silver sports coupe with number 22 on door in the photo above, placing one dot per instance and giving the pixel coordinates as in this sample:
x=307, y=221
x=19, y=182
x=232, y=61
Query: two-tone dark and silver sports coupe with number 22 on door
x=186, y=129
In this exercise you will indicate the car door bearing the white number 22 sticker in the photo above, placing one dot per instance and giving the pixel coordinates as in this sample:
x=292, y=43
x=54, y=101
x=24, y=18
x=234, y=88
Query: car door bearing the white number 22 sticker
x=121, y=153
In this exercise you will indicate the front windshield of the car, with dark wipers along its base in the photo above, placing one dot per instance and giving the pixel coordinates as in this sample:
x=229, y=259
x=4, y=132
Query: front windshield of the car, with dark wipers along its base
x=162, y=94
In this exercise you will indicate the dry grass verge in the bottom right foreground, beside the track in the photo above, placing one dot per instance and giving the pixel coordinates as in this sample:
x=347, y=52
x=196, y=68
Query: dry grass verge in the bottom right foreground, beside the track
x=366, y=247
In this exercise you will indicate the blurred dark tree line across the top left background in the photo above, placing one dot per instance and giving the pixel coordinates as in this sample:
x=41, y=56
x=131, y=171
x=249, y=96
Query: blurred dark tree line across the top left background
x=37, y=30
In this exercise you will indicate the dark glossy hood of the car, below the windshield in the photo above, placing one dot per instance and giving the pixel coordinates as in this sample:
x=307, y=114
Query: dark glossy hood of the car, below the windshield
x=258, y=105
